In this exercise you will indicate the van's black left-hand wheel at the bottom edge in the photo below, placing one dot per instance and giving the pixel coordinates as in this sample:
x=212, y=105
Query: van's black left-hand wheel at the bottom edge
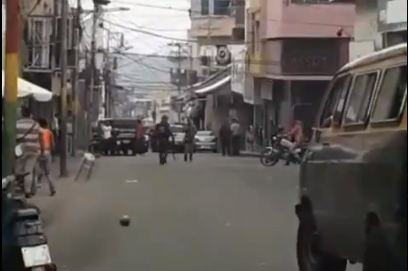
x=309, y=257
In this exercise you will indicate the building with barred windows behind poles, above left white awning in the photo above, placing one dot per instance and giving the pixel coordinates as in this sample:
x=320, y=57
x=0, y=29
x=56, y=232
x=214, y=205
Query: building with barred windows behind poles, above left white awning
x=40, y=48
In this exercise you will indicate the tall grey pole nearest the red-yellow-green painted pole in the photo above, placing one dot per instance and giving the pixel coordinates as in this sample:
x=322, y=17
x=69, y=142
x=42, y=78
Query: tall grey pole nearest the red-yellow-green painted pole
x=63, y=96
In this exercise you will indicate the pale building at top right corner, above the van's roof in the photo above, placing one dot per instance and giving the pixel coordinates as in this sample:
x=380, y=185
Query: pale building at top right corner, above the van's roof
x=378, y=24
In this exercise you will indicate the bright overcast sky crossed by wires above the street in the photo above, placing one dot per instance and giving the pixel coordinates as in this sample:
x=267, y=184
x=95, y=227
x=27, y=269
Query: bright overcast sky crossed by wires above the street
x=167, y=18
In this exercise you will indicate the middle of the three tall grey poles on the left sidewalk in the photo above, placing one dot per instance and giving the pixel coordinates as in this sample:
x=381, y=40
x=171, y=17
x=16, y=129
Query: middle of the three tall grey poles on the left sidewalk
x=74, y=81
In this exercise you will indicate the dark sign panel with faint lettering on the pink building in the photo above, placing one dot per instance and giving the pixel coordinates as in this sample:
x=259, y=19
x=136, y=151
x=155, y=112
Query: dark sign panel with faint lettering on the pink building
x=310, y=56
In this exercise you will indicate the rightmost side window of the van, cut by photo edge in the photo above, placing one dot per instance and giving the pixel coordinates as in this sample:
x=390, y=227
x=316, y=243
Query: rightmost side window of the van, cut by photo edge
x=391, y=94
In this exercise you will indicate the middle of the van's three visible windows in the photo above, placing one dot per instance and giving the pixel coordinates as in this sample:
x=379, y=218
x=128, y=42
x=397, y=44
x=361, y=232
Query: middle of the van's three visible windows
x=360, y=96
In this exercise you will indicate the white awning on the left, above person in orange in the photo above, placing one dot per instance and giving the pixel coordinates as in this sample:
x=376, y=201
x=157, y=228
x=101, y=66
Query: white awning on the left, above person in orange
x=26, y=88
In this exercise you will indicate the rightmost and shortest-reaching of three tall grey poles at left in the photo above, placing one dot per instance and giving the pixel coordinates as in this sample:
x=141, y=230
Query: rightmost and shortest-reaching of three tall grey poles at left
x=93, y=70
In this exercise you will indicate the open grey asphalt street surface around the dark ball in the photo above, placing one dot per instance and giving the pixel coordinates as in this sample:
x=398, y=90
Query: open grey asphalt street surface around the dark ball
x=215, y=214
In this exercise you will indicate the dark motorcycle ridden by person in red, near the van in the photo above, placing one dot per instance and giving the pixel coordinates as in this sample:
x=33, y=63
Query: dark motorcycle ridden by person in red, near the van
x=271, y=155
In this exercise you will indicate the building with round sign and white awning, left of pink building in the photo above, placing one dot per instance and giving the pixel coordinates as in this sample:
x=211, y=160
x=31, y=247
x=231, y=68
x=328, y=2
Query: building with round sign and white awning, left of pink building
x=218, y=27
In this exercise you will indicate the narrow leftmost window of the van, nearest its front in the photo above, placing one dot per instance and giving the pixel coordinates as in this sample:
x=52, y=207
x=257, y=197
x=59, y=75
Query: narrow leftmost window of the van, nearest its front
x=335, y=102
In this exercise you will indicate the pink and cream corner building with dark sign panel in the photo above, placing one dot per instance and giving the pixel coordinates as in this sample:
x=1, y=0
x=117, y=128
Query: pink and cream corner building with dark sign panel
x=294, y=49
